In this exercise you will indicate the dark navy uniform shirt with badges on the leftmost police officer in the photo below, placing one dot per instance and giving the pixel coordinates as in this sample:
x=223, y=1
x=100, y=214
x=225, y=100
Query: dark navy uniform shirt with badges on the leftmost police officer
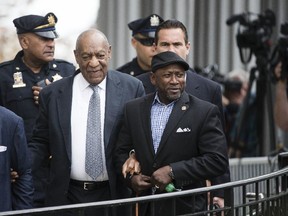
x=16, y=81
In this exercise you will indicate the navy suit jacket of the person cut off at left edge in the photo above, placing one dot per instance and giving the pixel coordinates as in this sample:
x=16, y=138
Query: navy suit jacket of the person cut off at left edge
x=14, y=155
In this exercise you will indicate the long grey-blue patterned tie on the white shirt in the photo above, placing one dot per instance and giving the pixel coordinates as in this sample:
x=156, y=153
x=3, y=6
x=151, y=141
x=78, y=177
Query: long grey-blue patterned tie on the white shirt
x=93, y=160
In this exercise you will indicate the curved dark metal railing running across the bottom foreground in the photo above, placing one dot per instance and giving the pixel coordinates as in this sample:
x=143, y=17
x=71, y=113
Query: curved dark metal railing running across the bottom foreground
x=272, y=201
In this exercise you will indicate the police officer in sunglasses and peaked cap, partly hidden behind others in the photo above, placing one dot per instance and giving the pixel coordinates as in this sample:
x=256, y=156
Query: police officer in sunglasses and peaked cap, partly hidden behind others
x=143, y=33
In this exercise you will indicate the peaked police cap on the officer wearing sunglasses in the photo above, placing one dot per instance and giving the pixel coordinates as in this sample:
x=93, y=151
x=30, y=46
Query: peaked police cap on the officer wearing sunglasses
x=146, y=26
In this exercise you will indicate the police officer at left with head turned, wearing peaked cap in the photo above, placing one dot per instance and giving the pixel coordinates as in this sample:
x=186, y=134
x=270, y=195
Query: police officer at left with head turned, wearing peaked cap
x=32, y=68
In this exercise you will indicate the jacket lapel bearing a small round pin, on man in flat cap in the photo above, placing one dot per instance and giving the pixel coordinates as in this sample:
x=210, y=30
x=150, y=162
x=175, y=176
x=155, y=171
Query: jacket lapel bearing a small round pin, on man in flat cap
x=179, y=109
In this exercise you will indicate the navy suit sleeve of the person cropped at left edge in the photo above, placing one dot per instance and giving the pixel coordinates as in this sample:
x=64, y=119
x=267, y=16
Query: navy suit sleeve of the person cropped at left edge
x=22, y=189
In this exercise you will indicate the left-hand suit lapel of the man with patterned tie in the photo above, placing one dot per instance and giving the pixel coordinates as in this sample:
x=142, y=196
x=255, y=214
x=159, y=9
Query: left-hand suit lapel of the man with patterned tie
x=64, y=103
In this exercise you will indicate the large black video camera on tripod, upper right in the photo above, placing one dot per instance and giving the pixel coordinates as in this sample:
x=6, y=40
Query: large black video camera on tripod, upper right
x=254, y=33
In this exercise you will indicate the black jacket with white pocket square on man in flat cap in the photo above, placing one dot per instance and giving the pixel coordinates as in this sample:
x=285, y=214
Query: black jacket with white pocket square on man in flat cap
x=193, y=144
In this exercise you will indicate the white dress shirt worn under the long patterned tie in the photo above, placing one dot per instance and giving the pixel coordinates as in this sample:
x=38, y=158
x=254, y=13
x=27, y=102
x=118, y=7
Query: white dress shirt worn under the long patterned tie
x=81, y=94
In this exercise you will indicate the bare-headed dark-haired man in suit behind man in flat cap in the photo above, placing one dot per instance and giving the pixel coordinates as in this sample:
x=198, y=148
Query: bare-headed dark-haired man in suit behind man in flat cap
x=172, y=35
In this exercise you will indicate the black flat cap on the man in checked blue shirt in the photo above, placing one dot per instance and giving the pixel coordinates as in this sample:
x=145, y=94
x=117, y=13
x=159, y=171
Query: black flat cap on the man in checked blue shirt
x=164, y=59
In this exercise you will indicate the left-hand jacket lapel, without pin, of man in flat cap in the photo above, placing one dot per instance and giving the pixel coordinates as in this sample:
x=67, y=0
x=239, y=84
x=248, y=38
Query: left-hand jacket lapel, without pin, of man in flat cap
x=146, y=121
